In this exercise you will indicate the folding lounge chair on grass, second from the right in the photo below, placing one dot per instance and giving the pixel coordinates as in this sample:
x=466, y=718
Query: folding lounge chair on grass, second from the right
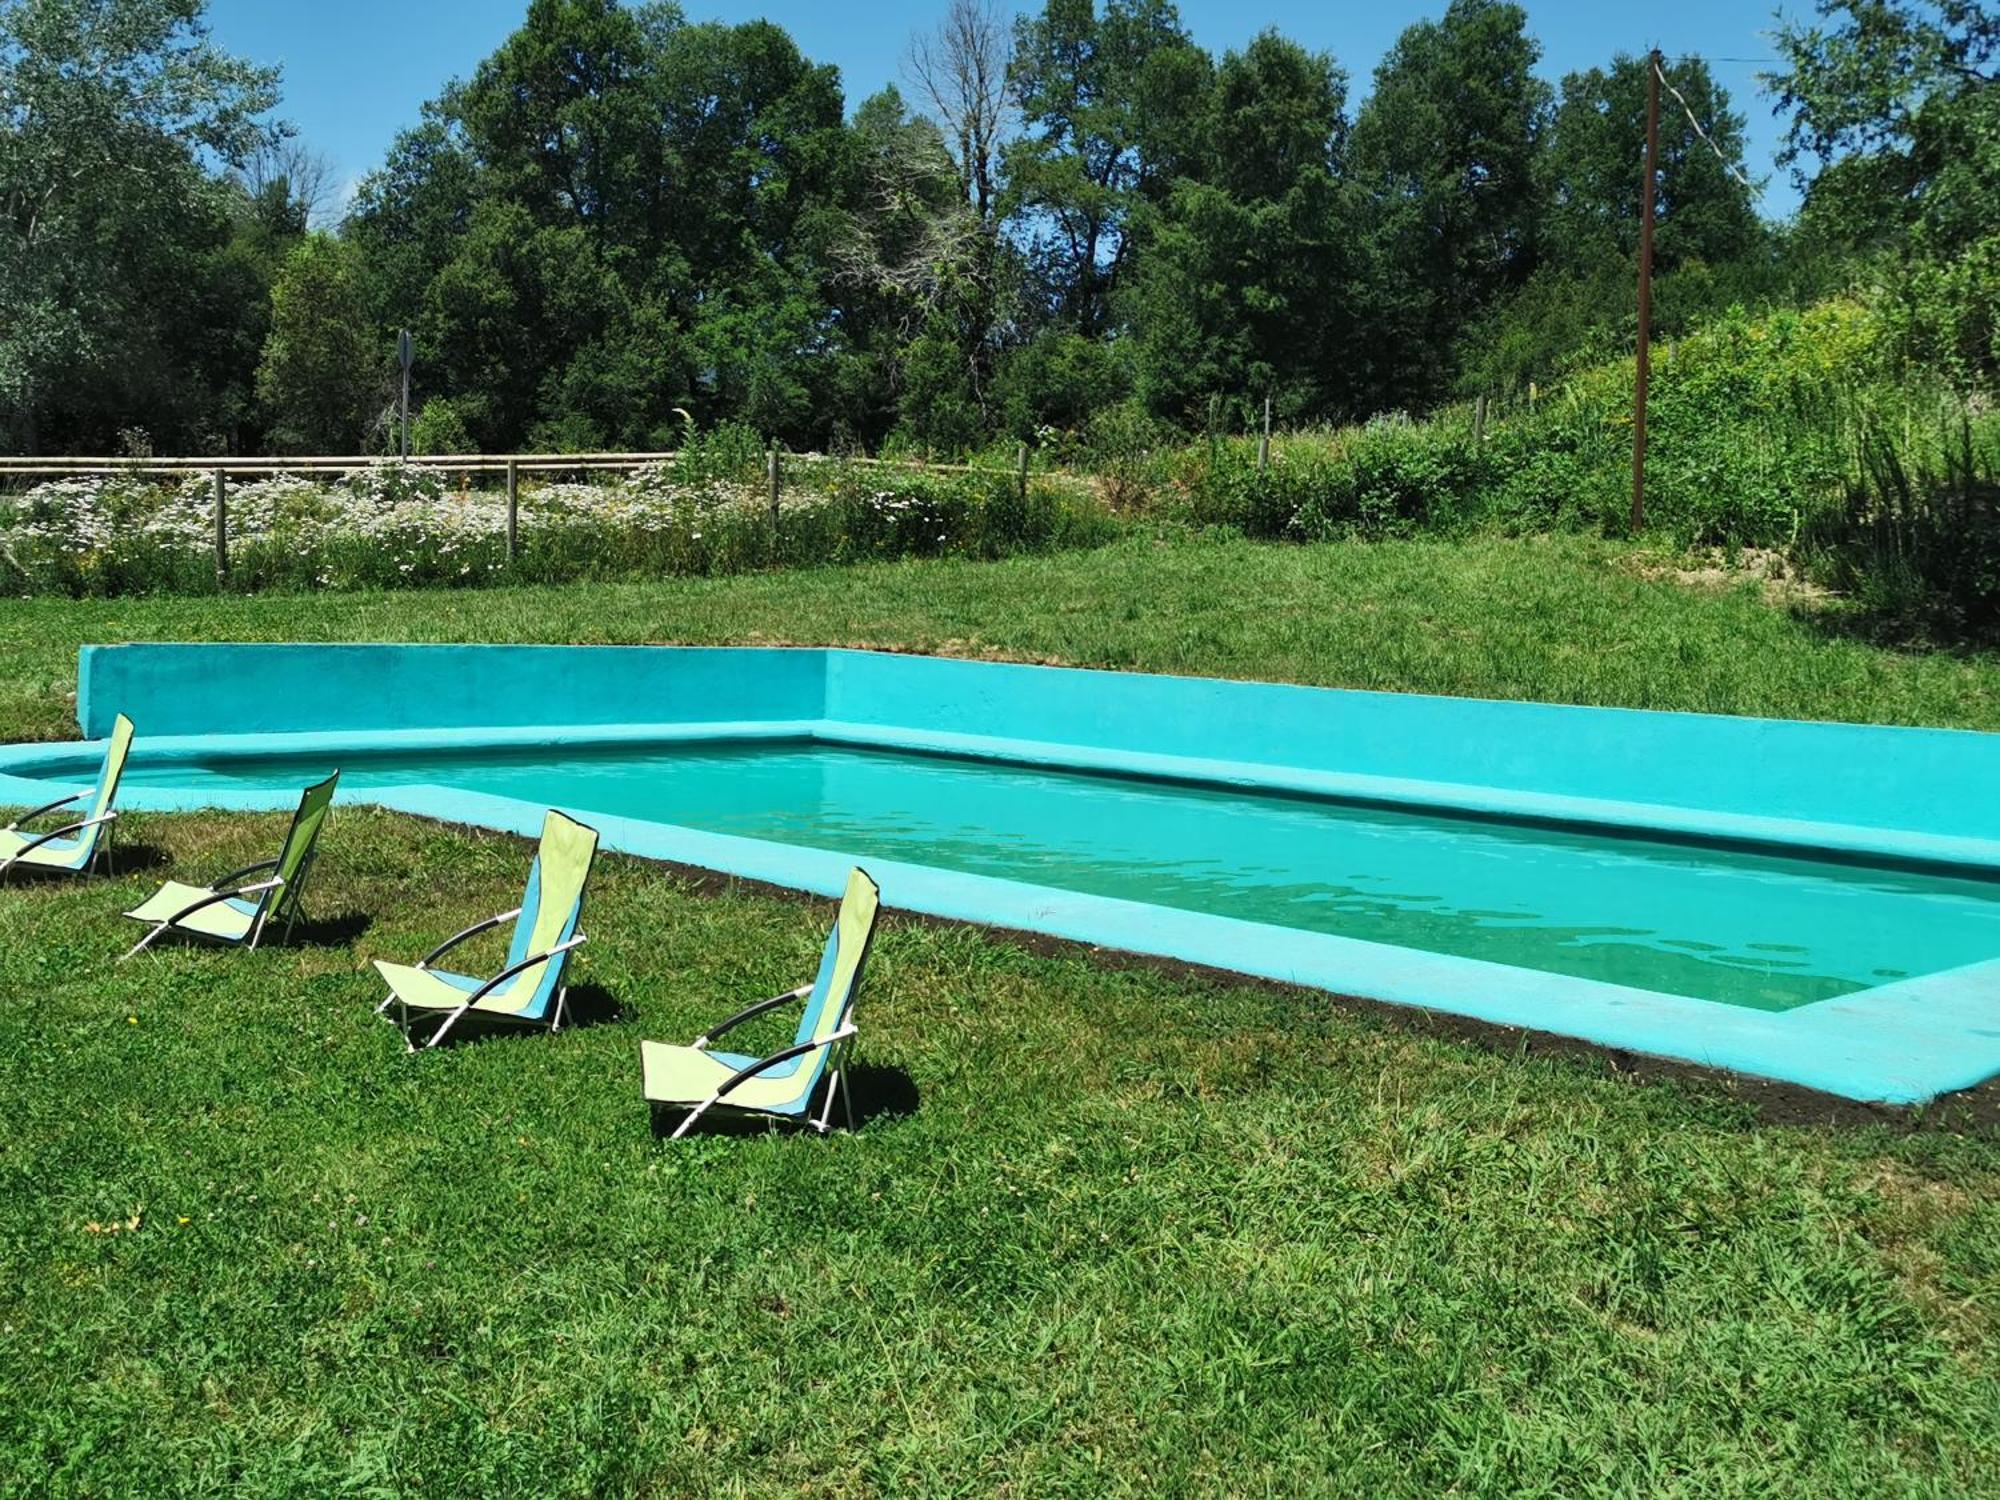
x=529, y=991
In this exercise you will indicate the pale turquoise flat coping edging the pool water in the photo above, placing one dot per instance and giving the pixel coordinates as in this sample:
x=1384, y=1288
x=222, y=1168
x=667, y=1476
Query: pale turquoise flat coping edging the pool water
x=1903, y=1043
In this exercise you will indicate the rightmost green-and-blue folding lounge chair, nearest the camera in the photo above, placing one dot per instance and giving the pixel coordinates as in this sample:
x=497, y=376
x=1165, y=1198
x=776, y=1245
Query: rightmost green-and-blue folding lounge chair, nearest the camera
x=783, y=1085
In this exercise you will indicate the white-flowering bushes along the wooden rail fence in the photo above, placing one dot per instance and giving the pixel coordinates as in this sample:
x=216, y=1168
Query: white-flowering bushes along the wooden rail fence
x=407, y=527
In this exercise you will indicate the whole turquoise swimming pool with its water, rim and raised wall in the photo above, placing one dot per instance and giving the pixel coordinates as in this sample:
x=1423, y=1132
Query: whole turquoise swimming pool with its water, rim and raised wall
x=1791, y=901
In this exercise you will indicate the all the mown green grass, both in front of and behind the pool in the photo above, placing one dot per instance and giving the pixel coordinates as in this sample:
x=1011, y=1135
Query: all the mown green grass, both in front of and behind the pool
x=1105, y=1229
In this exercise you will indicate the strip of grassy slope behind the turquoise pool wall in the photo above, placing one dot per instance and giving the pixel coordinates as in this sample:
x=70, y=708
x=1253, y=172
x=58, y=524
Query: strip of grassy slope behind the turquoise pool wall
x=1539, y=619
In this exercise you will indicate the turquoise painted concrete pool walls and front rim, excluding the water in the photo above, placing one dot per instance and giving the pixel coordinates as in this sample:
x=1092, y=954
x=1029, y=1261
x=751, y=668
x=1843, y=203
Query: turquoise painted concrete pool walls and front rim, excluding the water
x=1925, y=795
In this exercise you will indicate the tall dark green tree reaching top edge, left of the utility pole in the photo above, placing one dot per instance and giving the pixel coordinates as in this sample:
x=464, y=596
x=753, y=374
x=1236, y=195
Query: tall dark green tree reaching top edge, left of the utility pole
x=1447, y=145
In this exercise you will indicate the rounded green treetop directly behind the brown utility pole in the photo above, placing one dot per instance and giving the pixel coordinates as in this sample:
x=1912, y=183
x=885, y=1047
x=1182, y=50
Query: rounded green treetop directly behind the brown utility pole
x=1595, y=165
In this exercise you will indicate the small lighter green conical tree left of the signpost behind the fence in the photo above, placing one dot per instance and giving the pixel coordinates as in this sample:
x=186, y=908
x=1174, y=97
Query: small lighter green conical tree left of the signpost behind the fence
x=323, y=369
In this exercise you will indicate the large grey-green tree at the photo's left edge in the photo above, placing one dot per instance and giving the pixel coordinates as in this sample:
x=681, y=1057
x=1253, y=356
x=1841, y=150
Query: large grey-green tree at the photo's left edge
x=107, y=215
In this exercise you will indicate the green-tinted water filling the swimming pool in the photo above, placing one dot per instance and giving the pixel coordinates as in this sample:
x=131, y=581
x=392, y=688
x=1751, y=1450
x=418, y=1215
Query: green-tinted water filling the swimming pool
x=1741, y=929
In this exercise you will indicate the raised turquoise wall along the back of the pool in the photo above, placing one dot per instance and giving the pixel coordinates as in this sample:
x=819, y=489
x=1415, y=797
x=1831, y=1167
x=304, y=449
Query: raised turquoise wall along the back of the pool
x=1841, y=789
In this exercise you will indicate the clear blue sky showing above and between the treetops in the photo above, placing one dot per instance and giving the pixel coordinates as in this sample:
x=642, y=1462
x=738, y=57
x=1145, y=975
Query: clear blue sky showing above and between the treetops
x=359, y=71
